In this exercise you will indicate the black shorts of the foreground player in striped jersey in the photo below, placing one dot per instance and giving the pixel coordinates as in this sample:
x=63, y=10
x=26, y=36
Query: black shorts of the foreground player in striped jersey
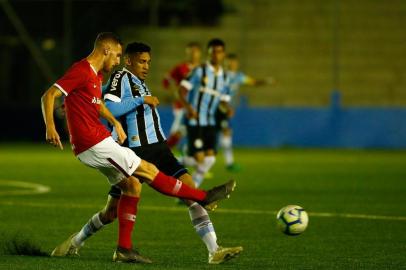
x=161, y=156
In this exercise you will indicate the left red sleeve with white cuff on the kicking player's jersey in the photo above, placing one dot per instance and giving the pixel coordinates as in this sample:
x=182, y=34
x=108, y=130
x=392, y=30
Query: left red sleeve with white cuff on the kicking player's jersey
x=74, y=78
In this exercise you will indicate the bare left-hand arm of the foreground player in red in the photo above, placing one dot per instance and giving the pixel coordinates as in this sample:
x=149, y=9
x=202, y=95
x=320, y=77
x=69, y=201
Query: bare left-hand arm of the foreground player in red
x=47, y=106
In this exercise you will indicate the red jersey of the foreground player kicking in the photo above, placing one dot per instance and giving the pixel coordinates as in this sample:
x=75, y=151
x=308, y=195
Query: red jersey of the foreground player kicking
x=82, y=87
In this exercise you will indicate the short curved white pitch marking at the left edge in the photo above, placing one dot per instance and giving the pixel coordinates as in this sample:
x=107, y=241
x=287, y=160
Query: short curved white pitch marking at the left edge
x=23, y=188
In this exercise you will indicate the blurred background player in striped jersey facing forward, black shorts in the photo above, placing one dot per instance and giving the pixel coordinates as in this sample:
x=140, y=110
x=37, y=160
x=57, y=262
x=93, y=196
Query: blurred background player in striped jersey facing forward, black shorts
x=207, y=87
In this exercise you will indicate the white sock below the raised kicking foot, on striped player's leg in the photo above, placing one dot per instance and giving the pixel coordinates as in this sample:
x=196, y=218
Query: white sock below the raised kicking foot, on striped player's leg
x=203, y=226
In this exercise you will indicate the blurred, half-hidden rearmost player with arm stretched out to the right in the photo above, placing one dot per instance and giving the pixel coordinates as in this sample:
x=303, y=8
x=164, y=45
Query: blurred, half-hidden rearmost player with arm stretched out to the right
x=236, y=79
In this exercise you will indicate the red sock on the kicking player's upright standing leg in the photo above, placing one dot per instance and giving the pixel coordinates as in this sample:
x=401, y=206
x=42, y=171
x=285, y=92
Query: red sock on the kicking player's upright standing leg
x=126, y=213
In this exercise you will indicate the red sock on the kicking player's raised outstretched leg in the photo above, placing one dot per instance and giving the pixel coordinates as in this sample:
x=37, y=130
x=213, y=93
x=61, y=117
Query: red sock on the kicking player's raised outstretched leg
x=175, y=188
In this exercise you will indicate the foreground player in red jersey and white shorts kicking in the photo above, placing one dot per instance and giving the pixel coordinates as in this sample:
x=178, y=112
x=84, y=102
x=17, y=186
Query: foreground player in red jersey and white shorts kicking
x=93, y=145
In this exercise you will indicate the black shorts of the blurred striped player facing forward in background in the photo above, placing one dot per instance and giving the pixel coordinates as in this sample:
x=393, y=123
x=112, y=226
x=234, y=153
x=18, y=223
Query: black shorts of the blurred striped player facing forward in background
x=201, y=139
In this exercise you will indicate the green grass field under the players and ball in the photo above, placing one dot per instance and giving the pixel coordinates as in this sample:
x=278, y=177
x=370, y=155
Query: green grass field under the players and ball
x=356, y=202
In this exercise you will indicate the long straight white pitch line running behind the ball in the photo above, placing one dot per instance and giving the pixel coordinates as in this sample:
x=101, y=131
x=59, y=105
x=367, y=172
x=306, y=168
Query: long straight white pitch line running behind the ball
x=226, y=211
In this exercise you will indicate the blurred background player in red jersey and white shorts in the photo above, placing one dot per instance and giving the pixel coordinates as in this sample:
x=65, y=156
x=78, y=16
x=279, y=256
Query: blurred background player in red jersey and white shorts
x=171, y=82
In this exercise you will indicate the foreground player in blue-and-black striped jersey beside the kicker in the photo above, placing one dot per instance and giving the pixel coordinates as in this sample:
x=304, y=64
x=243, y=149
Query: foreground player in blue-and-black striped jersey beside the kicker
x=130, y=100
